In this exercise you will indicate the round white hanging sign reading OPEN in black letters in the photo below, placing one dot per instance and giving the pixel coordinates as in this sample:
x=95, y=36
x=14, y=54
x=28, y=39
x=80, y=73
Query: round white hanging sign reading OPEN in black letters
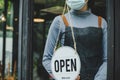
x=65, y=64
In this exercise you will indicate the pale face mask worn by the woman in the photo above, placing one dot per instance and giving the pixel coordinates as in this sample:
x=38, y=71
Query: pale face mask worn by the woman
x=76, y=4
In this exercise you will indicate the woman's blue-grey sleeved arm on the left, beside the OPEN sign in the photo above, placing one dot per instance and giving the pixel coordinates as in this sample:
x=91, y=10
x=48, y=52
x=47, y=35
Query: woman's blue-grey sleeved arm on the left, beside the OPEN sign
x=50, y=44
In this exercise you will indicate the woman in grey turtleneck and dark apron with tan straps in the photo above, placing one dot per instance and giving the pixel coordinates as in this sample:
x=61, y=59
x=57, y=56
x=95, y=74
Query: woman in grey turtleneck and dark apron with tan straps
x=90, y=33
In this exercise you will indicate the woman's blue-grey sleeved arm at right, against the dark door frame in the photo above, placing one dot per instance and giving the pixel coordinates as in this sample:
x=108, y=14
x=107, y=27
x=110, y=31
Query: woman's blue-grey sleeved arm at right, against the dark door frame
x=102, y=72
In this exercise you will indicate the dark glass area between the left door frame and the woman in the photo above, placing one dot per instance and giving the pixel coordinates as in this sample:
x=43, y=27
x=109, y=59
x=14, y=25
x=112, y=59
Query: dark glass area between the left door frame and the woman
x=40, y=32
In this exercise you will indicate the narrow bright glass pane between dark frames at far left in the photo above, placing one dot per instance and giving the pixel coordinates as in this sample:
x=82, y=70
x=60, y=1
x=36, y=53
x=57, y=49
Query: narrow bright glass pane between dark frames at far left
x=9, y=39
